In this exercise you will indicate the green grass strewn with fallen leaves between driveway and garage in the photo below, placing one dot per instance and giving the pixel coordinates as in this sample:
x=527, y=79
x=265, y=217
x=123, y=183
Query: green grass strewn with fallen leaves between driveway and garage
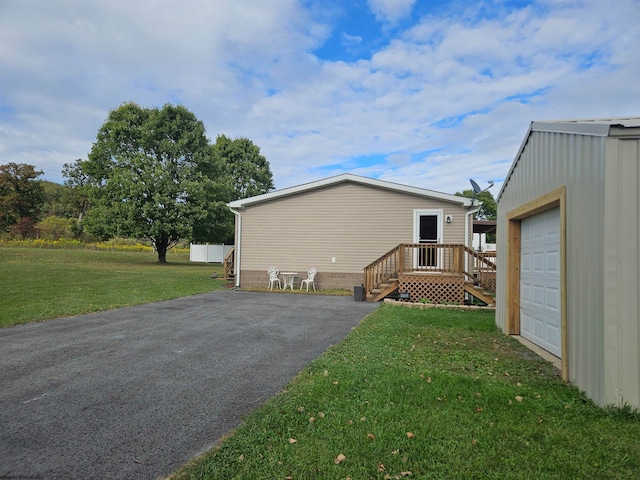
x=427, y=394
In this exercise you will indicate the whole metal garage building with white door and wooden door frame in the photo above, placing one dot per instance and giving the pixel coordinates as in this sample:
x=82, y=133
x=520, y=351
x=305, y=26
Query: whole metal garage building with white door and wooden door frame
x=568, y=243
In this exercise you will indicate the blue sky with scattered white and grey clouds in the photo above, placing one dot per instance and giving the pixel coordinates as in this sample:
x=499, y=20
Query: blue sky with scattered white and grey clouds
x=427, y=93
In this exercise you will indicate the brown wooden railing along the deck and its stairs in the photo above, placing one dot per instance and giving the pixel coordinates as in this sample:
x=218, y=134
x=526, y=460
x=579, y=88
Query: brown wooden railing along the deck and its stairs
x=431, y=258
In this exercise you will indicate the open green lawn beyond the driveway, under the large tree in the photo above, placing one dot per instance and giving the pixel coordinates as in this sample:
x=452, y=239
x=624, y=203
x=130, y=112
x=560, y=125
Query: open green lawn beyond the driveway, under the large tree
x=40, y=284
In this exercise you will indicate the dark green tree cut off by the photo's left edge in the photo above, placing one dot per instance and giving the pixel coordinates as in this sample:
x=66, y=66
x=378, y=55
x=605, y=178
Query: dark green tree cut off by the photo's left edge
x=21, y=194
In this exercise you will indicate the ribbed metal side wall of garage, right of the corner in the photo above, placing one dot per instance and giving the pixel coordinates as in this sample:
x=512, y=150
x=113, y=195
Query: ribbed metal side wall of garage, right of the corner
x=622, y=273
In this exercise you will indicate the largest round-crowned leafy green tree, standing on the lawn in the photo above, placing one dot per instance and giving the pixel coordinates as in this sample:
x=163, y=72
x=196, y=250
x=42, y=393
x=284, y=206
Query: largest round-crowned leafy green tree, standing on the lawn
x=146, y=175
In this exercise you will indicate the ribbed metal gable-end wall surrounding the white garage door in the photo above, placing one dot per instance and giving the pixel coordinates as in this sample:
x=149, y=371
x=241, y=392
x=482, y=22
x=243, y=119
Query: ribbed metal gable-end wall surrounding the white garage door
x=547, y=162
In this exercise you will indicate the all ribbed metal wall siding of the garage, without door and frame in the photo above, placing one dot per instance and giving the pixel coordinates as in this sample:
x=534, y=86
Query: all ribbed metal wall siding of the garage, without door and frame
x=602, y=221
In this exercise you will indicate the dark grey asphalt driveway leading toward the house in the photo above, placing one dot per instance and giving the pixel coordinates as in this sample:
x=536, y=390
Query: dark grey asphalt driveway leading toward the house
x=134, y=393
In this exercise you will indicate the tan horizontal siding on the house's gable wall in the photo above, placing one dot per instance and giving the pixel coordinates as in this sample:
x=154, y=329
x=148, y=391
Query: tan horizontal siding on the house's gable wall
x=353, y=223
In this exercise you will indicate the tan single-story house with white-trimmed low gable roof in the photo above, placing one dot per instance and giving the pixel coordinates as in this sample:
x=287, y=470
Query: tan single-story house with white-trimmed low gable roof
x=341, y=226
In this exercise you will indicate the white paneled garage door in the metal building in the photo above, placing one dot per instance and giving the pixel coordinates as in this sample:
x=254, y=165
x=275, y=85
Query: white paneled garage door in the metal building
x=540, y=280
